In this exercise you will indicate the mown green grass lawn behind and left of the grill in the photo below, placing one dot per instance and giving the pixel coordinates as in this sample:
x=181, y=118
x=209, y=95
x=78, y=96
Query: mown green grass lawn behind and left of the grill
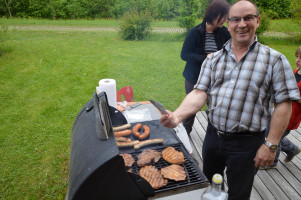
x=47, y=78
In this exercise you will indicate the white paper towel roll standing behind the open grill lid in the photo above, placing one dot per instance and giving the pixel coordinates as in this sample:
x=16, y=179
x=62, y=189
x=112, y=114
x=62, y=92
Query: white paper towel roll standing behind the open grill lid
x=109, y=87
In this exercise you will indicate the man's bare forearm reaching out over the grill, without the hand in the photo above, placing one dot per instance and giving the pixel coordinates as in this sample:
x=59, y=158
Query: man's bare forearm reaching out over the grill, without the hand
x=192, y=103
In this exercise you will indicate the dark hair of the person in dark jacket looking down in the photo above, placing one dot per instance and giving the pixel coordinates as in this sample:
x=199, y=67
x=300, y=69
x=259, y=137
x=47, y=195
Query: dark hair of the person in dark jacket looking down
x=217, y=8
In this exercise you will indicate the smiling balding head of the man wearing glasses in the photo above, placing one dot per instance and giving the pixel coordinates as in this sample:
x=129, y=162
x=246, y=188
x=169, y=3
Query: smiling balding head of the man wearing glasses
x=243, y=23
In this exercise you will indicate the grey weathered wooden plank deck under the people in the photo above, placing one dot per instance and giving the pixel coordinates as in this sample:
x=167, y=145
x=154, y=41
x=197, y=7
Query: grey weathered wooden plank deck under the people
x=282, y=183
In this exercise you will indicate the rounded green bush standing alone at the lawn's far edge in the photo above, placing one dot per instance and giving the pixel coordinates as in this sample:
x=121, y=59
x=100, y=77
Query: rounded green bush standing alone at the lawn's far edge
x=135, y=25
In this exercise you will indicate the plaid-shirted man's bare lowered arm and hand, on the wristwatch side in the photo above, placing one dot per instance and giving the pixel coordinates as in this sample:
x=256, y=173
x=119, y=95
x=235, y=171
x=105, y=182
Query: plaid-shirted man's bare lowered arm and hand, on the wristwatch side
x=279, y=122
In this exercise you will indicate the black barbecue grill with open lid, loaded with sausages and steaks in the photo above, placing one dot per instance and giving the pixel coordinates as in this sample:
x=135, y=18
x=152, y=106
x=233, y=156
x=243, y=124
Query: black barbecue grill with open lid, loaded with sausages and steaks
x=97, y=171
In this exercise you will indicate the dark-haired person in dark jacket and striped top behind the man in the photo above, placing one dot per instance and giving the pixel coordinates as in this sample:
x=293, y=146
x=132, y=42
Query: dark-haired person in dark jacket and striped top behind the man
x=202, y=40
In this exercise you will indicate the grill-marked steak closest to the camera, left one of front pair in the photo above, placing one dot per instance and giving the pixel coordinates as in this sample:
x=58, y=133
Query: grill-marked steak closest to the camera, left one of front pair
x=153, y=176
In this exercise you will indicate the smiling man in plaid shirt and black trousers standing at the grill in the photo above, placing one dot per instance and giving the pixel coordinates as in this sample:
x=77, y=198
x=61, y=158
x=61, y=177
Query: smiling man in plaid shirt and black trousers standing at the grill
x=239, y=83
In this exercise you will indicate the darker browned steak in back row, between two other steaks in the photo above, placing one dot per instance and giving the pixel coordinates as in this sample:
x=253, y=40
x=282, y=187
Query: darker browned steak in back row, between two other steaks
x=147, y=156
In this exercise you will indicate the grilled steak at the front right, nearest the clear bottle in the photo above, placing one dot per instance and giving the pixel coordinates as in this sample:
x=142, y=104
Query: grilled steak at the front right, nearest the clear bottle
x=174, y=172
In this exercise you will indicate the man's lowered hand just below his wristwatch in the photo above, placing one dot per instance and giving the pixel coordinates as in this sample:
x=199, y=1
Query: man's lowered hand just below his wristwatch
x=264, y=156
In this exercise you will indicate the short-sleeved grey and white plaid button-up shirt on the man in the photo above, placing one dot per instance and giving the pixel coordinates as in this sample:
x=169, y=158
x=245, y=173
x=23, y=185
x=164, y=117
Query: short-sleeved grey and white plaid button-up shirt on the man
x=240, y=93
